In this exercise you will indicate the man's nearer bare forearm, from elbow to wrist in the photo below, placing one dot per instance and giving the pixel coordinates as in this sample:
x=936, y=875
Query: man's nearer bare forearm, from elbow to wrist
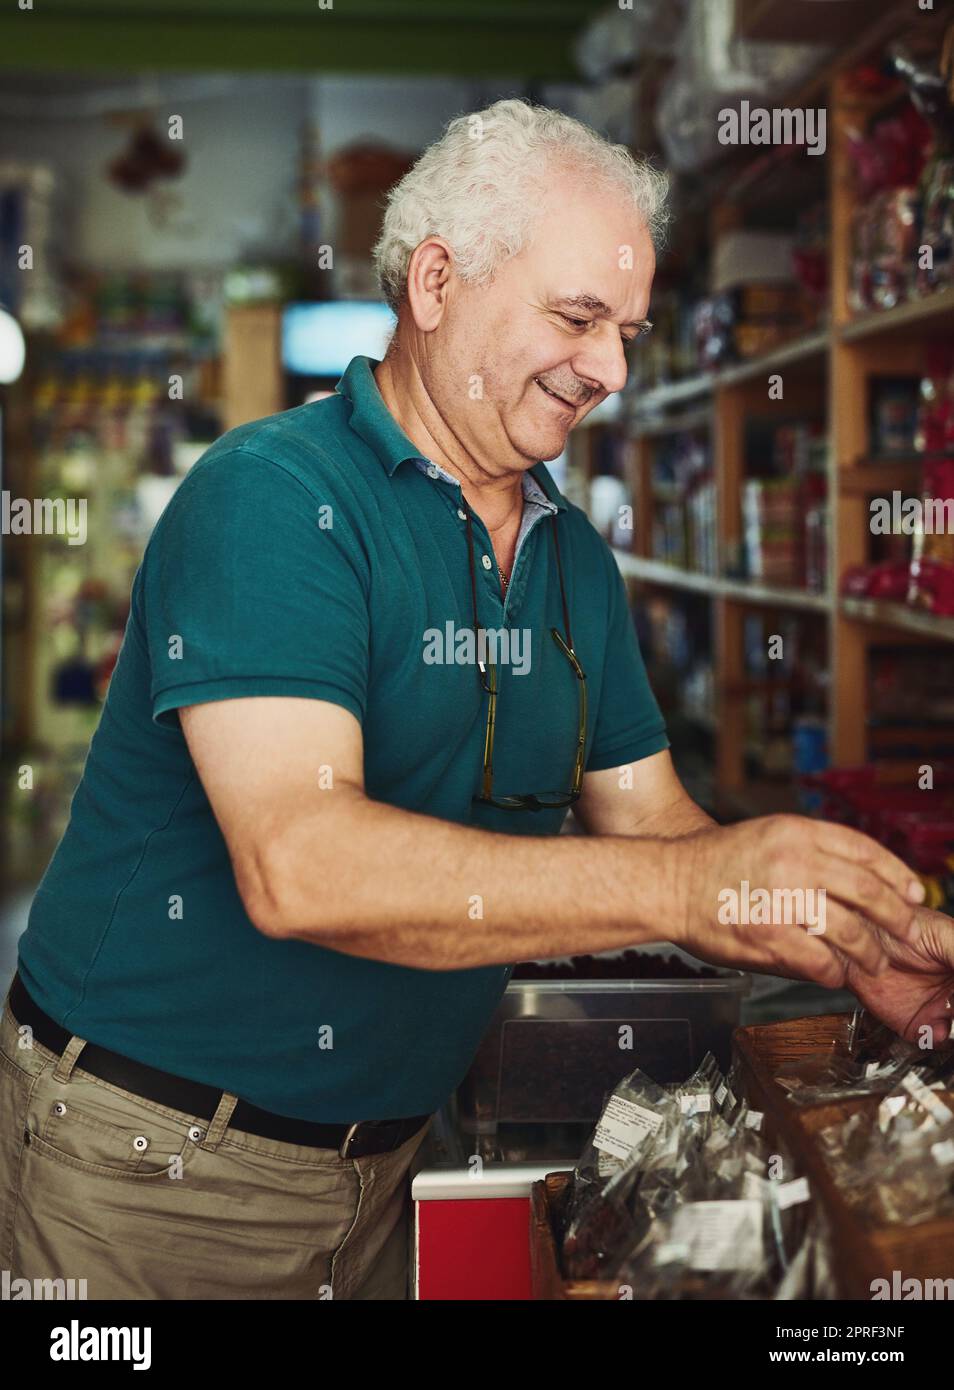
x=412, y=890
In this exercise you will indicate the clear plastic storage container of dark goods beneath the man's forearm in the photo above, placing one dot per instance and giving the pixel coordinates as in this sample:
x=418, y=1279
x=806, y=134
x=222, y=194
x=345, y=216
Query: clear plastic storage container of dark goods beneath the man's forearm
x=556, y=1047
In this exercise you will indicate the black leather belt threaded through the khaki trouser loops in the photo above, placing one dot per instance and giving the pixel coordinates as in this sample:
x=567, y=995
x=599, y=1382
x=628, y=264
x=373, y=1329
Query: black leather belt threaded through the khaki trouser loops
x=202, y=1102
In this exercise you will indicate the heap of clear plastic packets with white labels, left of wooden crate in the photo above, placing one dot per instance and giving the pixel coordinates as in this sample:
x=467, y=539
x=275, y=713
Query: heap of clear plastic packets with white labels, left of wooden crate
x=700, y=1207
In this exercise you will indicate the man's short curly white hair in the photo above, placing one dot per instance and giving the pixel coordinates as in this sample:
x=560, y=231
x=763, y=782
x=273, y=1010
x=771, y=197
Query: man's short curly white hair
x=483, y=183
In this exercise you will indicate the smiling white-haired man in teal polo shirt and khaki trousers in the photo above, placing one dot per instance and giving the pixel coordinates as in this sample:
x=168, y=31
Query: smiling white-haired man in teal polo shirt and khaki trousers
x=304, y=857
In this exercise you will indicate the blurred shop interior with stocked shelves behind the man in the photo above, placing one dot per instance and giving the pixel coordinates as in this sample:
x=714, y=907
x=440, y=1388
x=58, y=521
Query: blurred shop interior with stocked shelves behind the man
x=200, y=195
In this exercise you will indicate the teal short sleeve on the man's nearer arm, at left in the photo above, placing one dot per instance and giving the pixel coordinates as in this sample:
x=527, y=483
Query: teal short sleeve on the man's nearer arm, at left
x=252, y=586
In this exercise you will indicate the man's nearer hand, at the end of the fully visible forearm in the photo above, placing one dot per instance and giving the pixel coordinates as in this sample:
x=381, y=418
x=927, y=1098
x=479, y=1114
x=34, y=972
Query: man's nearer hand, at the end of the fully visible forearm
x=786, y=854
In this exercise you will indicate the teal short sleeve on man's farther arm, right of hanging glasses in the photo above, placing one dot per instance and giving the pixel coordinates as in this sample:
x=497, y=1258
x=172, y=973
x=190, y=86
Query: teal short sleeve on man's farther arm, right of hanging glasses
x=629, y=722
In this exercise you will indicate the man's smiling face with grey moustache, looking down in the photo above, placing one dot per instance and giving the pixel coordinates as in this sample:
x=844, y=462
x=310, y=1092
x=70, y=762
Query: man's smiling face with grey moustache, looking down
x=517, y=363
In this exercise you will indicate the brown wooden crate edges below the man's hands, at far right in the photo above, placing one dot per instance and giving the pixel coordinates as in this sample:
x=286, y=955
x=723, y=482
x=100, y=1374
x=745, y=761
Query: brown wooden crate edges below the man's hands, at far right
x=862, y=1253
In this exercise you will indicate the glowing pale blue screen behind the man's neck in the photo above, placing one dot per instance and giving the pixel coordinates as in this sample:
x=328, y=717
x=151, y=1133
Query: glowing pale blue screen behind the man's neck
x=321, y=340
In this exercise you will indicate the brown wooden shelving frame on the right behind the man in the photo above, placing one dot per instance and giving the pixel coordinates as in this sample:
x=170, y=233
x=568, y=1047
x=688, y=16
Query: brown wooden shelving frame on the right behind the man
x=828, y=375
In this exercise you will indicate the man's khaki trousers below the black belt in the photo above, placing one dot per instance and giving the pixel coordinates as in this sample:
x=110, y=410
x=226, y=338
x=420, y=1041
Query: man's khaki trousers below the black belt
x=144, y=1202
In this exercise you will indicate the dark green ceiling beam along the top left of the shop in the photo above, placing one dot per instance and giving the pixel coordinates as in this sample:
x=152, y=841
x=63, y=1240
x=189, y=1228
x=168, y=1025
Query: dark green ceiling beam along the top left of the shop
x=531, y=44
